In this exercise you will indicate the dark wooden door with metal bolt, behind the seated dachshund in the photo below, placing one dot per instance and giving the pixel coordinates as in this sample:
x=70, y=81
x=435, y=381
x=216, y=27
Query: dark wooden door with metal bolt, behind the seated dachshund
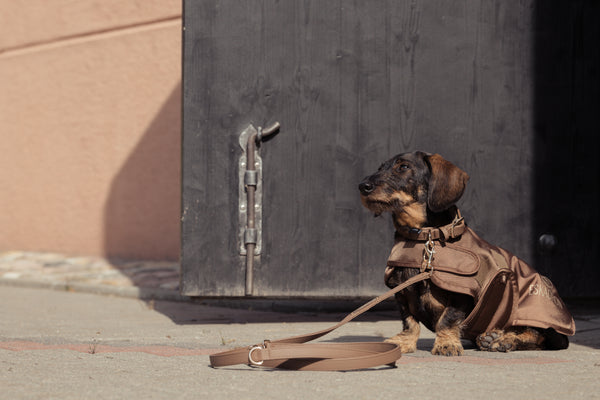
x=352, y=84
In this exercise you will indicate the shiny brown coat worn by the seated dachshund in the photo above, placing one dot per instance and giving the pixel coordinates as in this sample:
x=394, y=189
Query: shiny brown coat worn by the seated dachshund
x=506, y=291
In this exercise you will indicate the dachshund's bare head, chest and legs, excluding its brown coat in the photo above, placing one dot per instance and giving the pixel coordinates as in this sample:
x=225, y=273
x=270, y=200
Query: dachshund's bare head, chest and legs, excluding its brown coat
x=420, y=190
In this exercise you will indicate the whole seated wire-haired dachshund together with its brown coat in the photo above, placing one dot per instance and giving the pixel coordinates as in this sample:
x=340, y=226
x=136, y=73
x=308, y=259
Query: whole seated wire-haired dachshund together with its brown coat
x=420, y=191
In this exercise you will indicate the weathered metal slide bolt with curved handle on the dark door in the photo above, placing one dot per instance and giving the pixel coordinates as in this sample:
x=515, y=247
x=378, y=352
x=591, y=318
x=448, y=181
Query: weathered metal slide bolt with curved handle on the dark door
x=250, y=197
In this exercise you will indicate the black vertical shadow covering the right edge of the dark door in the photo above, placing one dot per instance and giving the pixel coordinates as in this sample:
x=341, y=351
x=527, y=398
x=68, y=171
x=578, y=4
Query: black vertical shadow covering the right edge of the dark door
x=566, y=46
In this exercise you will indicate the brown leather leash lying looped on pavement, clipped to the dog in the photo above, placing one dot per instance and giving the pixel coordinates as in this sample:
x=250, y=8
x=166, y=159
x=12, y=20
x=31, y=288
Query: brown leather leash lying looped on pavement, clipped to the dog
x=294, y=353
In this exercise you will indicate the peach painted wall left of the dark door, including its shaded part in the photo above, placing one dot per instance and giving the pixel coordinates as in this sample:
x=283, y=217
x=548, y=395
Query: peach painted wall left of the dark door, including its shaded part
x=90, y=127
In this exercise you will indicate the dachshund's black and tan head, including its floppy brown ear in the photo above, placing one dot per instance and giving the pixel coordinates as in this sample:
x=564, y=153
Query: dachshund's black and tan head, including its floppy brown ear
x=410, y=184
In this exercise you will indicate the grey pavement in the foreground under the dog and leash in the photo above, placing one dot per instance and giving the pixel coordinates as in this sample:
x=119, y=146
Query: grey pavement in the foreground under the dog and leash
x=76, y=344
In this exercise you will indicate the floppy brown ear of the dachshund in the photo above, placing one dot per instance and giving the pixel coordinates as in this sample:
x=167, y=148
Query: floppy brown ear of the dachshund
x=446, y=185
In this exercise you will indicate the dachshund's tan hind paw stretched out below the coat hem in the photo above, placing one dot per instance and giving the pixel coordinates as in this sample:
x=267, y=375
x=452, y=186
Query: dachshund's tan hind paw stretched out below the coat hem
x=515, y=338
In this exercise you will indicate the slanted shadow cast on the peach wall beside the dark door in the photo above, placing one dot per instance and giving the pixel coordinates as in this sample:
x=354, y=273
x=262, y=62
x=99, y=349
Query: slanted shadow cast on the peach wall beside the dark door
x=142, y=211
